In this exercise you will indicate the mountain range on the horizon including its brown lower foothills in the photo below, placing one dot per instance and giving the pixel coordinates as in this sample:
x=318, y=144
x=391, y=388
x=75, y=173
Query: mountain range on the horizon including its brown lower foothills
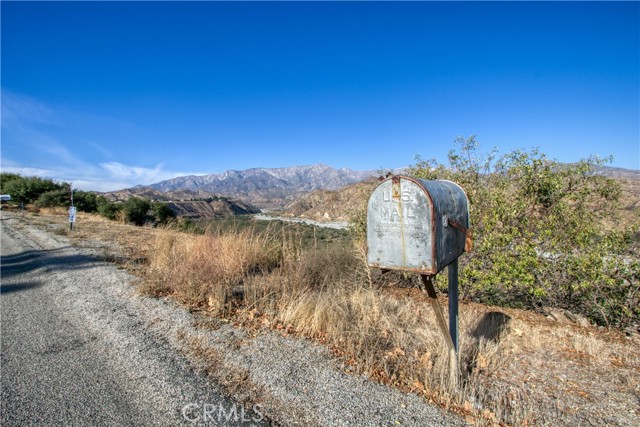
x=317, y=191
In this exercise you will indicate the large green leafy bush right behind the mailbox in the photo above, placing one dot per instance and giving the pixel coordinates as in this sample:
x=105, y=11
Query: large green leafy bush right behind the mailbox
x=545, y=233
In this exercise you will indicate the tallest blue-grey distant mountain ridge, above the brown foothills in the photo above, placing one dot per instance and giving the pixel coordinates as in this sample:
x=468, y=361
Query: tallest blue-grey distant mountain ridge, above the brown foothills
x=267, y=187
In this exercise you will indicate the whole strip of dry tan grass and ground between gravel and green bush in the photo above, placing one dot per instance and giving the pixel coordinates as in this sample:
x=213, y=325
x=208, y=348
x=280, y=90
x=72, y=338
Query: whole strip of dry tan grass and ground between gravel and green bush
x=516, y=367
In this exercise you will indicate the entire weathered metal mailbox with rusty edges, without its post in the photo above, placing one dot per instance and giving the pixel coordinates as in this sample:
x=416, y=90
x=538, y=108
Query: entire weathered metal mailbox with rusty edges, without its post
x=417, y=225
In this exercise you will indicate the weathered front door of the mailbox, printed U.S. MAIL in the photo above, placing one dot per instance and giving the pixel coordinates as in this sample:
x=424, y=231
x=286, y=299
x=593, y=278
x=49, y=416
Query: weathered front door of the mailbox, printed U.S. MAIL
x=400, y=233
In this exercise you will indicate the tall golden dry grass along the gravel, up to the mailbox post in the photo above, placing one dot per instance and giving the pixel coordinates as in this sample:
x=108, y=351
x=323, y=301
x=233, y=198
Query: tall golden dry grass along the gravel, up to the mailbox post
x=324, y=294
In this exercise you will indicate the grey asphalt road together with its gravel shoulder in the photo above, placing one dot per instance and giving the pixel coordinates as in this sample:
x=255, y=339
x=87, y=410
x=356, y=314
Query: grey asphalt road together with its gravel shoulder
x=80, y=344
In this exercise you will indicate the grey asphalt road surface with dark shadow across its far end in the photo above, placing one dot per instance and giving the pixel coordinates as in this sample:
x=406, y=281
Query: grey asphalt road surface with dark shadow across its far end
x=74, y=352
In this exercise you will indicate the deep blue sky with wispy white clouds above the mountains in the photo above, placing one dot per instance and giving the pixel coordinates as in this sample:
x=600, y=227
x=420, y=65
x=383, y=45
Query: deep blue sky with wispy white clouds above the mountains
x=113, y=94
